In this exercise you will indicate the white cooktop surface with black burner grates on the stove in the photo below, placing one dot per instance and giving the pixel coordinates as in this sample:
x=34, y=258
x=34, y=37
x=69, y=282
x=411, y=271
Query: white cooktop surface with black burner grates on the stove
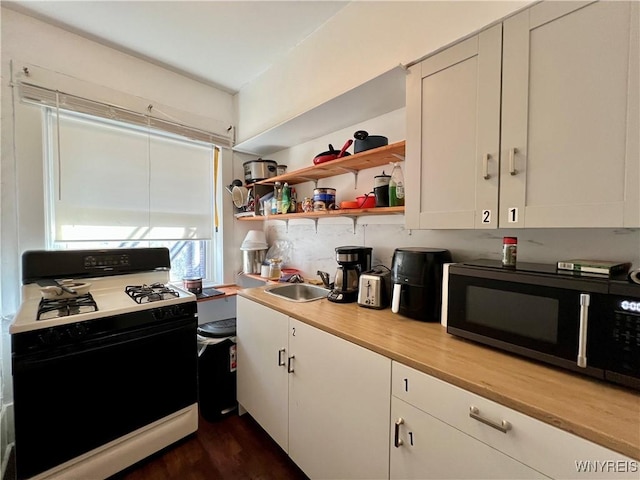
x=108, y=296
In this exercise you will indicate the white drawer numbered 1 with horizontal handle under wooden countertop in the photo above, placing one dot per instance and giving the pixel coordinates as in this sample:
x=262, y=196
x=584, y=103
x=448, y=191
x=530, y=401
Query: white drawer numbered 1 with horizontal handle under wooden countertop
x=545, y=448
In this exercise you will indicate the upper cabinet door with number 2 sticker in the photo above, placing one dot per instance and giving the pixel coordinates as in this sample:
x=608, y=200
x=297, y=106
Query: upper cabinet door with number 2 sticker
x=453, y=128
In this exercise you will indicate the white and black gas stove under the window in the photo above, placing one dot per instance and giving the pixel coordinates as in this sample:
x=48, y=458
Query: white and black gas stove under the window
x=115, y=369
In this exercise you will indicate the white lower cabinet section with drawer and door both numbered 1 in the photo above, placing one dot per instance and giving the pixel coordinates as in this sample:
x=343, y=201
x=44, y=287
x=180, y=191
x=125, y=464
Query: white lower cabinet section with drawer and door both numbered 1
x=457, y=434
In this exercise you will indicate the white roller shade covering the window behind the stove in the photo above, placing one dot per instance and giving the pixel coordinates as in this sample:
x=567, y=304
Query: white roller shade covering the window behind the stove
x=112, y=181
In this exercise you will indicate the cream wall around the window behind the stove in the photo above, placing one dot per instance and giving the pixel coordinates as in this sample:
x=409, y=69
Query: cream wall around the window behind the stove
x=58, y=59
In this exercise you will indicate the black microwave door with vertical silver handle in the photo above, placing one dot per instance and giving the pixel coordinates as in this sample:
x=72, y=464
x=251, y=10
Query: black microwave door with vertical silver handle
x=535, y=315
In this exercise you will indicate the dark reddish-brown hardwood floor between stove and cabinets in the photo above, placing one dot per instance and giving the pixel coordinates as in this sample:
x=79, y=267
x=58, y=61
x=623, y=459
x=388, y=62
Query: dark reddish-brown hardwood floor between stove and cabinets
x=233, y=448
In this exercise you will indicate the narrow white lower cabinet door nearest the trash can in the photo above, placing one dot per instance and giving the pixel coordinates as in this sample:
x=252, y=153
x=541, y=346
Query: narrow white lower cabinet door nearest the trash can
x=262, y=335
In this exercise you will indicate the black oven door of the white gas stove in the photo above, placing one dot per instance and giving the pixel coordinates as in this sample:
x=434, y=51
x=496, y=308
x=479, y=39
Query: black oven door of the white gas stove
x=74, y=399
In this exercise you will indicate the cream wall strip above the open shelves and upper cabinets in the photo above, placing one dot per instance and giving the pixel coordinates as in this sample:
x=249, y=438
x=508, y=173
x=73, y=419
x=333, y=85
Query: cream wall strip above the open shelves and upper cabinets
x=364, y=40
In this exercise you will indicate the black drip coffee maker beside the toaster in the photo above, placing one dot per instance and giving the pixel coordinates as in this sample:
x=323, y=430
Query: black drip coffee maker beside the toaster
x=352, y=261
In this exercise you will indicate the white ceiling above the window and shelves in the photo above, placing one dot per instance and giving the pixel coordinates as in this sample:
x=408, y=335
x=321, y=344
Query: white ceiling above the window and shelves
x=222, y=43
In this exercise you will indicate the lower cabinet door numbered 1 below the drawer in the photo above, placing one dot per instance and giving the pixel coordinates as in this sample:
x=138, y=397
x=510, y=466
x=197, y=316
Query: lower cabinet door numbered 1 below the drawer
x=427, y=448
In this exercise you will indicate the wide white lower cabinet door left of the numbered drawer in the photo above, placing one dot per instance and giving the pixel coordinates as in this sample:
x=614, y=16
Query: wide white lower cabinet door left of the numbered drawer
x=339, y=396
